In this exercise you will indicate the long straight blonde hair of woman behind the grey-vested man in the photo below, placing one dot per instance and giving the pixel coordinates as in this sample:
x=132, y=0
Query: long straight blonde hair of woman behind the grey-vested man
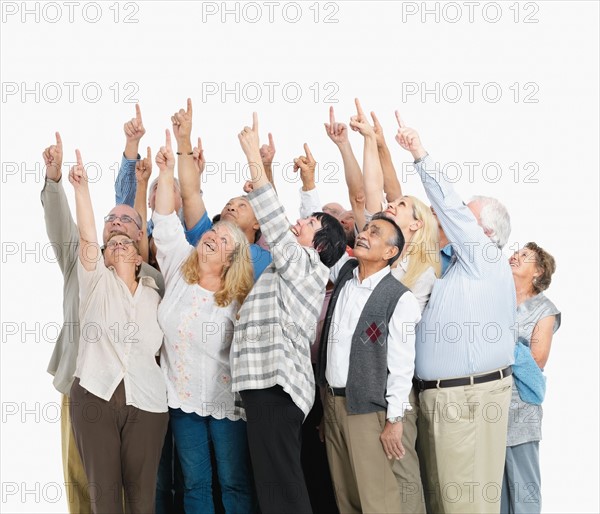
x=424, y=247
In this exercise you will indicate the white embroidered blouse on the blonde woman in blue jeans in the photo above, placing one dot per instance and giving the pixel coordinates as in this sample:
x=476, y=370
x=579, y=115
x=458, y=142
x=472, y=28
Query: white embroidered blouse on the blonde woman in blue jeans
x=198, y=333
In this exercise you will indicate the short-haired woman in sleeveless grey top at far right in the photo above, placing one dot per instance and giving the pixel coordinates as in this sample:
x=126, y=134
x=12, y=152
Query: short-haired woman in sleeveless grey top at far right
x=537, y=320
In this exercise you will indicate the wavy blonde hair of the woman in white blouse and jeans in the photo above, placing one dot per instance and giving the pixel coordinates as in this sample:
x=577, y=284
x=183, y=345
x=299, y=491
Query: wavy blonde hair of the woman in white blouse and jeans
x=237, y=276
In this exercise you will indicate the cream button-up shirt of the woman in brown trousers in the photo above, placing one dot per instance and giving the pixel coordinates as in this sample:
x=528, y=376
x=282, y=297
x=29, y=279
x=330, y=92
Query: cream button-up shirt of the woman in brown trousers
x=119, y=338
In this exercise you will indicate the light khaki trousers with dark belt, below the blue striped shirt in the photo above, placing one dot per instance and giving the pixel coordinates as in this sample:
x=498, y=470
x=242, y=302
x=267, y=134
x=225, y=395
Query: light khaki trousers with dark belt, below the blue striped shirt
x=462, y=442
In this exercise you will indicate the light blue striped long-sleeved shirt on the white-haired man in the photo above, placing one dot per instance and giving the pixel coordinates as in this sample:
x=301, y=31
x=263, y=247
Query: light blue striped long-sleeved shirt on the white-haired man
x=468, y=325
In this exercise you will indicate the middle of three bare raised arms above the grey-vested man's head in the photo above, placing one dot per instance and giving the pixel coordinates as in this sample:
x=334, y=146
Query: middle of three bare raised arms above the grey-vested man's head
x=372, y=172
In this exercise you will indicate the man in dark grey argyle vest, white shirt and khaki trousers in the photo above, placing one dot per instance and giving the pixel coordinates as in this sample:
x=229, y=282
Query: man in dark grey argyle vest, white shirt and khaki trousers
x=366, y=365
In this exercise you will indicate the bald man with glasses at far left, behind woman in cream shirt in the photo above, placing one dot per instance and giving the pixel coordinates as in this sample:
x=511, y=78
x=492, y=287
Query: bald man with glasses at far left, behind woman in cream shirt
x=64, y=235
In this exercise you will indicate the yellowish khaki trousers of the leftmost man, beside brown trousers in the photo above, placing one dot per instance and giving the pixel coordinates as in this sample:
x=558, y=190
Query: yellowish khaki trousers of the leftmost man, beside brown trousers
x=76, y=484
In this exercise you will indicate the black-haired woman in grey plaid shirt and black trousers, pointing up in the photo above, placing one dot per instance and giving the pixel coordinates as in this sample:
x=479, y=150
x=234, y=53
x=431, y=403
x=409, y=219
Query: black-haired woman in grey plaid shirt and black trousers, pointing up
x=270, y=353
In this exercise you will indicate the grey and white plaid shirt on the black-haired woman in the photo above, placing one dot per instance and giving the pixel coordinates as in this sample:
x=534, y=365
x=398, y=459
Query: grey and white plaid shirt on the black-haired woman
x=277, y=323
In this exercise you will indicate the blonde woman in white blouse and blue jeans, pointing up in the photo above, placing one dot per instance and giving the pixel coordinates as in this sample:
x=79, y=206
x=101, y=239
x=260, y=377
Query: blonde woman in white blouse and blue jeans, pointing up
x=205, y=287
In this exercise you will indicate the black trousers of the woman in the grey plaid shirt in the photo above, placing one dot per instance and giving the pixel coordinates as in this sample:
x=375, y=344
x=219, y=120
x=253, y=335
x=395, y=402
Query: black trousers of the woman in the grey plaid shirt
x=275, y=440
